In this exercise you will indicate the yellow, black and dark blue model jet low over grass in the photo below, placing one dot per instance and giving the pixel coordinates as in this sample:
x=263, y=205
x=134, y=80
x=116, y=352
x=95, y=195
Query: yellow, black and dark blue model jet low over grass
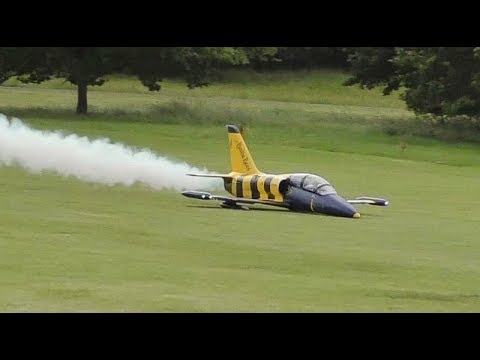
x=297, y=191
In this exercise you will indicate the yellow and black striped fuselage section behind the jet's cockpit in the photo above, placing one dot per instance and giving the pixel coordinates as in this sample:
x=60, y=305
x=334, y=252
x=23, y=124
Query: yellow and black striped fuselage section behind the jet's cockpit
x=257, y=186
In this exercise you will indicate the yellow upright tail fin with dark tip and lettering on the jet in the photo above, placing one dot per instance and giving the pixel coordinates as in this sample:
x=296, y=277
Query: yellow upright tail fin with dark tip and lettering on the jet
x=240, y=158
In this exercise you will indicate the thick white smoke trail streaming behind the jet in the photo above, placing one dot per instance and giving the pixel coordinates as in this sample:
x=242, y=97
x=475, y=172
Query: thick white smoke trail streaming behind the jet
x=96, y=160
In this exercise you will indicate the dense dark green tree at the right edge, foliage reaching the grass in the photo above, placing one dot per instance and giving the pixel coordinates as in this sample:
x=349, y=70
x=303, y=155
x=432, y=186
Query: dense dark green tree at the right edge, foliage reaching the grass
x=439, y=81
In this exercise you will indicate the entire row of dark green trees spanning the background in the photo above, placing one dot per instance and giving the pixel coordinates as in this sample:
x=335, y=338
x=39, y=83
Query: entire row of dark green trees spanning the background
x=443, y=81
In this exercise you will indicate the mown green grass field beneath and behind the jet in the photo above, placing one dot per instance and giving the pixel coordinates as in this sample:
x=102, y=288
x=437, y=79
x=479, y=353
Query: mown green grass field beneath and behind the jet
x=70, y=246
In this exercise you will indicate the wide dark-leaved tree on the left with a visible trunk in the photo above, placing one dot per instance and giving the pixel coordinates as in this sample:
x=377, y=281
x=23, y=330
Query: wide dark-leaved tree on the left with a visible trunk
x=88, y=66
